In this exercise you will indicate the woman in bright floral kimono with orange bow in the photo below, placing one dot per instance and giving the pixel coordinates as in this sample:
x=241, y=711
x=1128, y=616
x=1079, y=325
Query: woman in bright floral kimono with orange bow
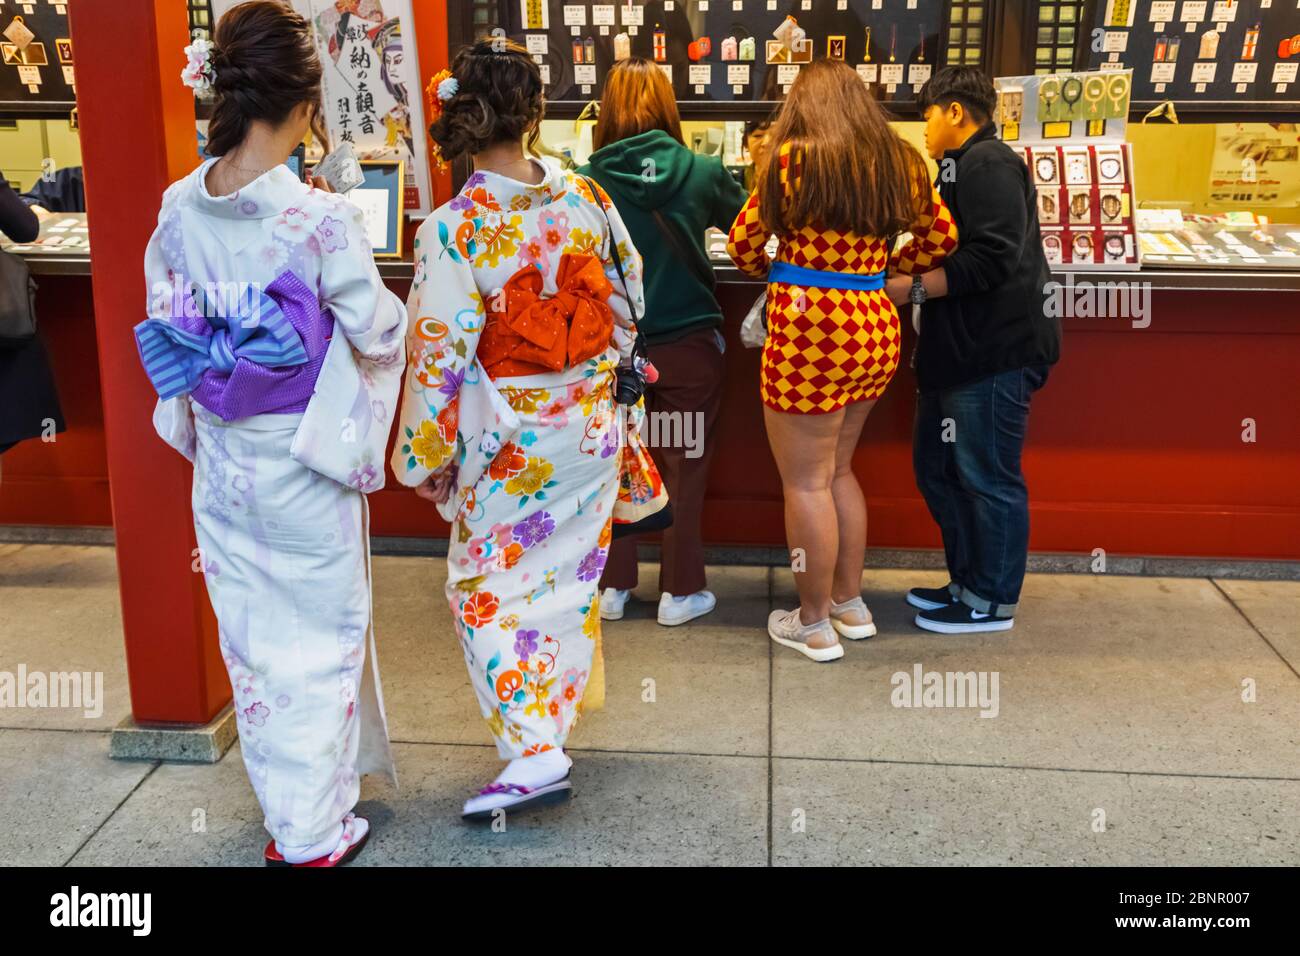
x=519, y=319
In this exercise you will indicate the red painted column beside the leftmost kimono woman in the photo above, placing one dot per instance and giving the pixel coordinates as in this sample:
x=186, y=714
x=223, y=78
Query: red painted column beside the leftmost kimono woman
x=137, y=137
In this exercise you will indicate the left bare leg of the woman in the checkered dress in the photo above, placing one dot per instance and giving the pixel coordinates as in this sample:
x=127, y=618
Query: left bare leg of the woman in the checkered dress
x=804, y=448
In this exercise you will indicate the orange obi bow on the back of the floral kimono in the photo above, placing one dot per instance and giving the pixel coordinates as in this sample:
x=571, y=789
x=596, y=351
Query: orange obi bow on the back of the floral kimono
x=541, y=335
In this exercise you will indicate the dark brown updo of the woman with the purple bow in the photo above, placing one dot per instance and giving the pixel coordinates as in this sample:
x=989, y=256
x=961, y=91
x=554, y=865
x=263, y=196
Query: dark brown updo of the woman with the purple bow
x=266, y=64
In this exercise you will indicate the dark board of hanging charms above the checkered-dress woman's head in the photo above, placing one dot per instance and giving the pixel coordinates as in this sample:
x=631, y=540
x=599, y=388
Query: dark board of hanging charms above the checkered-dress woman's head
x=701, y=45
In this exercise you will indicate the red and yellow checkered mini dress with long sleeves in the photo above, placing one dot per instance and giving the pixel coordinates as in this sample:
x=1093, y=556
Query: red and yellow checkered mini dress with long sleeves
x=829, y=348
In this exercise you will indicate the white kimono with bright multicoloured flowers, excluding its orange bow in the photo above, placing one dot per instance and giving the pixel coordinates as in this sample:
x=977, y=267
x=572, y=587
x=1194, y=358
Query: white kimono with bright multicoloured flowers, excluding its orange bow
x=536, y=456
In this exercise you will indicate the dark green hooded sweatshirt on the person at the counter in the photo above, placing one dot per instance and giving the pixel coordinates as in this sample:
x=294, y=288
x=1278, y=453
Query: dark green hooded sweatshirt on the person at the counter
x=653, y=171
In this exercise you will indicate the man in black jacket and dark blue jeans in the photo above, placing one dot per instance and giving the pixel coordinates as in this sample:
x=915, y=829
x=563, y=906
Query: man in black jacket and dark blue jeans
x=986, y=347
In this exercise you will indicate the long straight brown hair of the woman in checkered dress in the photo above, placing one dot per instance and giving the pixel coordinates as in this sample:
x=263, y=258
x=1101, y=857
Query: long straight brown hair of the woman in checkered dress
x=859, y=176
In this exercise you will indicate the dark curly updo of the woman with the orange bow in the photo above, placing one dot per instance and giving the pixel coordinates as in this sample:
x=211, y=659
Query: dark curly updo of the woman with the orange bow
x=500, y=100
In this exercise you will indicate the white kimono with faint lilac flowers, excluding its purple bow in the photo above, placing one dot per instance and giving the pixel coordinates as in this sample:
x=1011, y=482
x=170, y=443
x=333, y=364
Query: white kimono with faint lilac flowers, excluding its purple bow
x=279, y=505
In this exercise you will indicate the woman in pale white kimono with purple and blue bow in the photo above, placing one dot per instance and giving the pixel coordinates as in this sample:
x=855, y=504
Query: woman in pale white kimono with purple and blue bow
x=278, y=357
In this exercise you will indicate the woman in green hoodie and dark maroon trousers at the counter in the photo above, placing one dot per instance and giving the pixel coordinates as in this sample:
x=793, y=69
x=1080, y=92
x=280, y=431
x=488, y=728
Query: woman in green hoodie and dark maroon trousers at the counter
x=668, y=197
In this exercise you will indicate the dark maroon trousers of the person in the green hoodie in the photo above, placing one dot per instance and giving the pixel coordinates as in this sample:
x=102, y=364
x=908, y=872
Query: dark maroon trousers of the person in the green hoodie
x=682, y=405
